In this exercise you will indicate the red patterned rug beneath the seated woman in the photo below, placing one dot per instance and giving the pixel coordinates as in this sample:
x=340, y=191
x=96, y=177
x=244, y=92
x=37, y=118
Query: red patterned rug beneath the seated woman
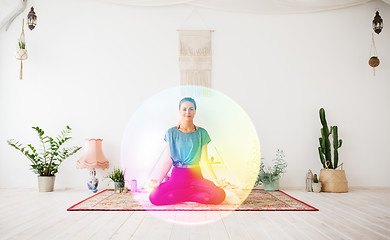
x=257, y=200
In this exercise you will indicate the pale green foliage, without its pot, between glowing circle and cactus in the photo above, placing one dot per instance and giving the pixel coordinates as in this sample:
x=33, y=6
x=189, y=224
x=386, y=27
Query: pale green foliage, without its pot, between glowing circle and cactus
x=271, y=173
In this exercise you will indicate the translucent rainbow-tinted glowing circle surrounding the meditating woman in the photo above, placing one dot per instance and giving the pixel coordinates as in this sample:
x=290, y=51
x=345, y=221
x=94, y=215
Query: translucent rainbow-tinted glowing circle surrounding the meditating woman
x=234, y=149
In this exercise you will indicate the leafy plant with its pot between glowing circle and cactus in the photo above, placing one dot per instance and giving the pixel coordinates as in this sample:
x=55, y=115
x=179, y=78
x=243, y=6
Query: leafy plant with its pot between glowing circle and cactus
x=270, y=175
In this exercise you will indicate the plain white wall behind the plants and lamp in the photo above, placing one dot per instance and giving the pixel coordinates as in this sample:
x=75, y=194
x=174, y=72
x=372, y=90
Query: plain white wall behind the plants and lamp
x=91, y=65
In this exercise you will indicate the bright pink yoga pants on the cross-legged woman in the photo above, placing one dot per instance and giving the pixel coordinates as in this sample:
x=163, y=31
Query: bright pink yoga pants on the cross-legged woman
x=187, y=185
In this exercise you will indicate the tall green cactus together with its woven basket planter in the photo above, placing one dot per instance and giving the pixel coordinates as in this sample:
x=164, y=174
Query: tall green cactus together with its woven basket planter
x=332, y=179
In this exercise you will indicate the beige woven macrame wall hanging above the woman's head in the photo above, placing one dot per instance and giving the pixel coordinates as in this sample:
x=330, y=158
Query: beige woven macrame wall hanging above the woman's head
x=195, y=57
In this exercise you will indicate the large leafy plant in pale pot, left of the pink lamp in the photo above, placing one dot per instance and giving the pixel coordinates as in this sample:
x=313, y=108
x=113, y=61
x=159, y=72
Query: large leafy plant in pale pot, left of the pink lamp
x=46, y=161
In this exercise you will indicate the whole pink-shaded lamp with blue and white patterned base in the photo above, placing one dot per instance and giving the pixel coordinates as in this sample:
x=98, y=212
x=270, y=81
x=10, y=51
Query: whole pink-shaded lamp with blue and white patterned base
x=92, y=158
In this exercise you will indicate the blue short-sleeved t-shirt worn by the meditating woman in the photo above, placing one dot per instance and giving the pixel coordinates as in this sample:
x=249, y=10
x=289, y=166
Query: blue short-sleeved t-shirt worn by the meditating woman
x=186, y=148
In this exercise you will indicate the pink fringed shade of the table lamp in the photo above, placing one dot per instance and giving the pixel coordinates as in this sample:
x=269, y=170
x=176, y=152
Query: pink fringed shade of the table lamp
x=93, y=156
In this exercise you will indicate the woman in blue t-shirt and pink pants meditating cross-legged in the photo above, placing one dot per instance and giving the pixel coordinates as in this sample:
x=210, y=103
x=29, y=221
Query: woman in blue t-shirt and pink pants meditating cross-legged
x=187, y=147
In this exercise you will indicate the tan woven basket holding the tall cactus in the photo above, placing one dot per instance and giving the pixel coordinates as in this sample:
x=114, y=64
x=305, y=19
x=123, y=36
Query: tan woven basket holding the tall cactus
x=333, y=180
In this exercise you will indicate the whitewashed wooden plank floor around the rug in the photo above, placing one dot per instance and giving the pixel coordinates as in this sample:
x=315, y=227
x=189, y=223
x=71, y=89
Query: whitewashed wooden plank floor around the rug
x=359, y=214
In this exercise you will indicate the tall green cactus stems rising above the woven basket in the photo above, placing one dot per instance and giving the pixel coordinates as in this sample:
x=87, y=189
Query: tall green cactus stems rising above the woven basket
x=324, y=149
